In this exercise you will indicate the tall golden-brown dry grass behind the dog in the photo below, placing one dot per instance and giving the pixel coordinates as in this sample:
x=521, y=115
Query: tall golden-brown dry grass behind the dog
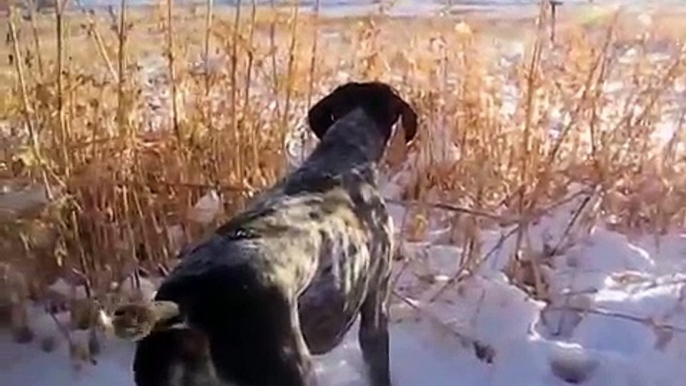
x=122, y=119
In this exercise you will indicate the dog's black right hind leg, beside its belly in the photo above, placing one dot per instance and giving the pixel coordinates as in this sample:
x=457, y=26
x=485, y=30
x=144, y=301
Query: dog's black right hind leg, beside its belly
x=263, y=344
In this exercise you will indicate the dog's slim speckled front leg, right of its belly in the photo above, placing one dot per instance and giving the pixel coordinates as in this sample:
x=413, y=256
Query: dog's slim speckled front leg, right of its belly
x=373, y=335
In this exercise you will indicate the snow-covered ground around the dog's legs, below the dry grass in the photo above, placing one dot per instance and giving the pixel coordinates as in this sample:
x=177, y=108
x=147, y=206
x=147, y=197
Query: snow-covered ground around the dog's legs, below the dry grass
x=616, y=317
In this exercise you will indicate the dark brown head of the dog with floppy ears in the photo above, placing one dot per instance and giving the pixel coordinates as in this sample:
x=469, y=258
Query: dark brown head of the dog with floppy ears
x=378, y=100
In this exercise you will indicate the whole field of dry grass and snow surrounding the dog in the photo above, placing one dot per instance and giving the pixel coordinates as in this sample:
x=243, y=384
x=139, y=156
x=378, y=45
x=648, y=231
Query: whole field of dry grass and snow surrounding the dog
x=539, y=213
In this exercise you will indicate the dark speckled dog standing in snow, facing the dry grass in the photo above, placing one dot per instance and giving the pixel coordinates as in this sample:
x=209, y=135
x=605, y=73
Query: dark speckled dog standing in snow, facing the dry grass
x=287, y=277
